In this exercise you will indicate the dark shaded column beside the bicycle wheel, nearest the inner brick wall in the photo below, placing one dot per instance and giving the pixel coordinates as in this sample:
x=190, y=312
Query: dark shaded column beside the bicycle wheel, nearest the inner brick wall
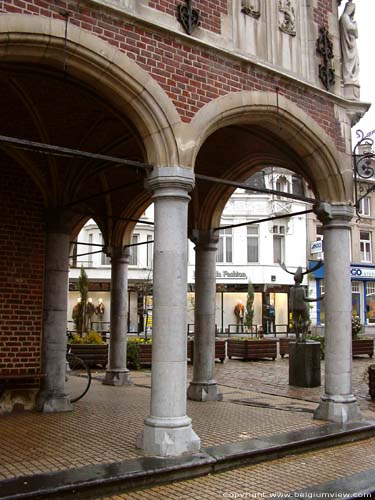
x=52, y=397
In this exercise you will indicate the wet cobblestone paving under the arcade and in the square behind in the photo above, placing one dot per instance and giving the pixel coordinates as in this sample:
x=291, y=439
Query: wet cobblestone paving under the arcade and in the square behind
x=104, y=425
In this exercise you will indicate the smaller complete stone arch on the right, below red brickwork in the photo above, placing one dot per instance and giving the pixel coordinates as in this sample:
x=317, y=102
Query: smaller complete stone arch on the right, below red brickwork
x=328, y=169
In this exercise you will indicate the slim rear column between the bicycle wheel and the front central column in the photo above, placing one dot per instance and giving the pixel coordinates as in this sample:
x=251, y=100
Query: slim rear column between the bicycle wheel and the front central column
x=117, y=373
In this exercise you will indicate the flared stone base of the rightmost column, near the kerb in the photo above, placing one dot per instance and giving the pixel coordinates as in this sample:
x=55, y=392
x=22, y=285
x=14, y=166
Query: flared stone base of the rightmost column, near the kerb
x=338, y=409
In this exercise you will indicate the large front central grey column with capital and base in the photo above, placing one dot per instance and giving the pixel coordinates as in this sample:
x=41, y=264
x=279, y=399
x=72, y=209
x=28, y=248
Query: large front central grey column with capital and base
x=168, y=430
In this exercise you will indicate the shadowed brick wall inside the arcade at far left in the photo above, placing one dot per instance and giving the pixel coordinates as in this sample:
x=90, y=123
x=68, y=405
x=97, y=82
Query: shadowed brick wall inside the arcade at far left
x=21, y=272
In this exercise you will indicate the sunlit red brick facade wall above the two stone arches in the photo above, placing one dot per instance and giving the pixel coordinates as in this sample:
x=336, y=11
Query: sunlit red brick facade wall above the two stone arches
x=191, y=75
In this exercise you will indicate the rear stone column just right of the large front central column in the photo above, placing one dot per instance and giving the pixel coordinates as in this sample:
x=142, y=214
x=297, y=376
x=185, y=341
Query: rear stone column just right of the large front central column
x=203, y=386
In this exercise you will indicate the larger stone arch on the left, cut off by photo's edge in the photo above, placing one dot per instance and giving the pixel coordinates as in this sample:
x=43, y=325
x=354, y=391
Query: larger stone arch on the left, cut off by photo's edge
x=41, y=40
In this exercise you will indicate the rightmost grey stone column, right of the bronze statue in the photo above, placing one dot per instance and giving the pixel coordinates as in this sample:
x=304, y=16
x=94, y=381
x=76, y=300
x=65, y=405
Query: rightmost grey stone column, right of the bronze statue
x=338, y=403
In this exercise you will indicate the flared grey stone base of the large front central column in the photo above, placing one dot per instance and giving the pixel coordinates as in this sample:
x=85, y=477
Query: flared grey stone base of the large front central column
x=168, y=437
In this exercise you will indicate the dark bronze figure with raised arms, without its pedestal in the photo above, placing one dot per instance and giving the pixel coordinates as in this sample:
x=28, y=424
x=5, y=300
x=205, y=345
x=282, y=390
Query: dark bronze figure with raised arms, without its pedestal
x=298, y=301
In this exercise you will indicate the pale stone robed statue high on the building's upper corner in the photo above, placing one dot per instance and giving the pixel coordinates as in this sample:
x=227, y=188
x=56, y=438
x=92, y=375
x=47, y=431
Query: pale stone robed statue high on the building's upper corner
x=349, y=52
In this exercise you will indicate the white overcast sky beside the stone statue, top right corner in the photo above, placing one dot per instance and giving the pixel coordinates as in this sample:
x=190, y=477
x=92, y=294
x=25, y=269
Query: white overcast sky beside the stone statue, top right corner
x=365, y=17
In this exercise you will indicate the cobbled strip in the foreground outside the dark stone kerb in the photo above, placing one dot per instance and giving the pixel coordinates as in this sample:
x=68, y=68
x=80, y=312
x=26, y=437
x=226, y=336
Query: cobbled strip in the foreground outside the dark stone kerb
x=268, y=479
